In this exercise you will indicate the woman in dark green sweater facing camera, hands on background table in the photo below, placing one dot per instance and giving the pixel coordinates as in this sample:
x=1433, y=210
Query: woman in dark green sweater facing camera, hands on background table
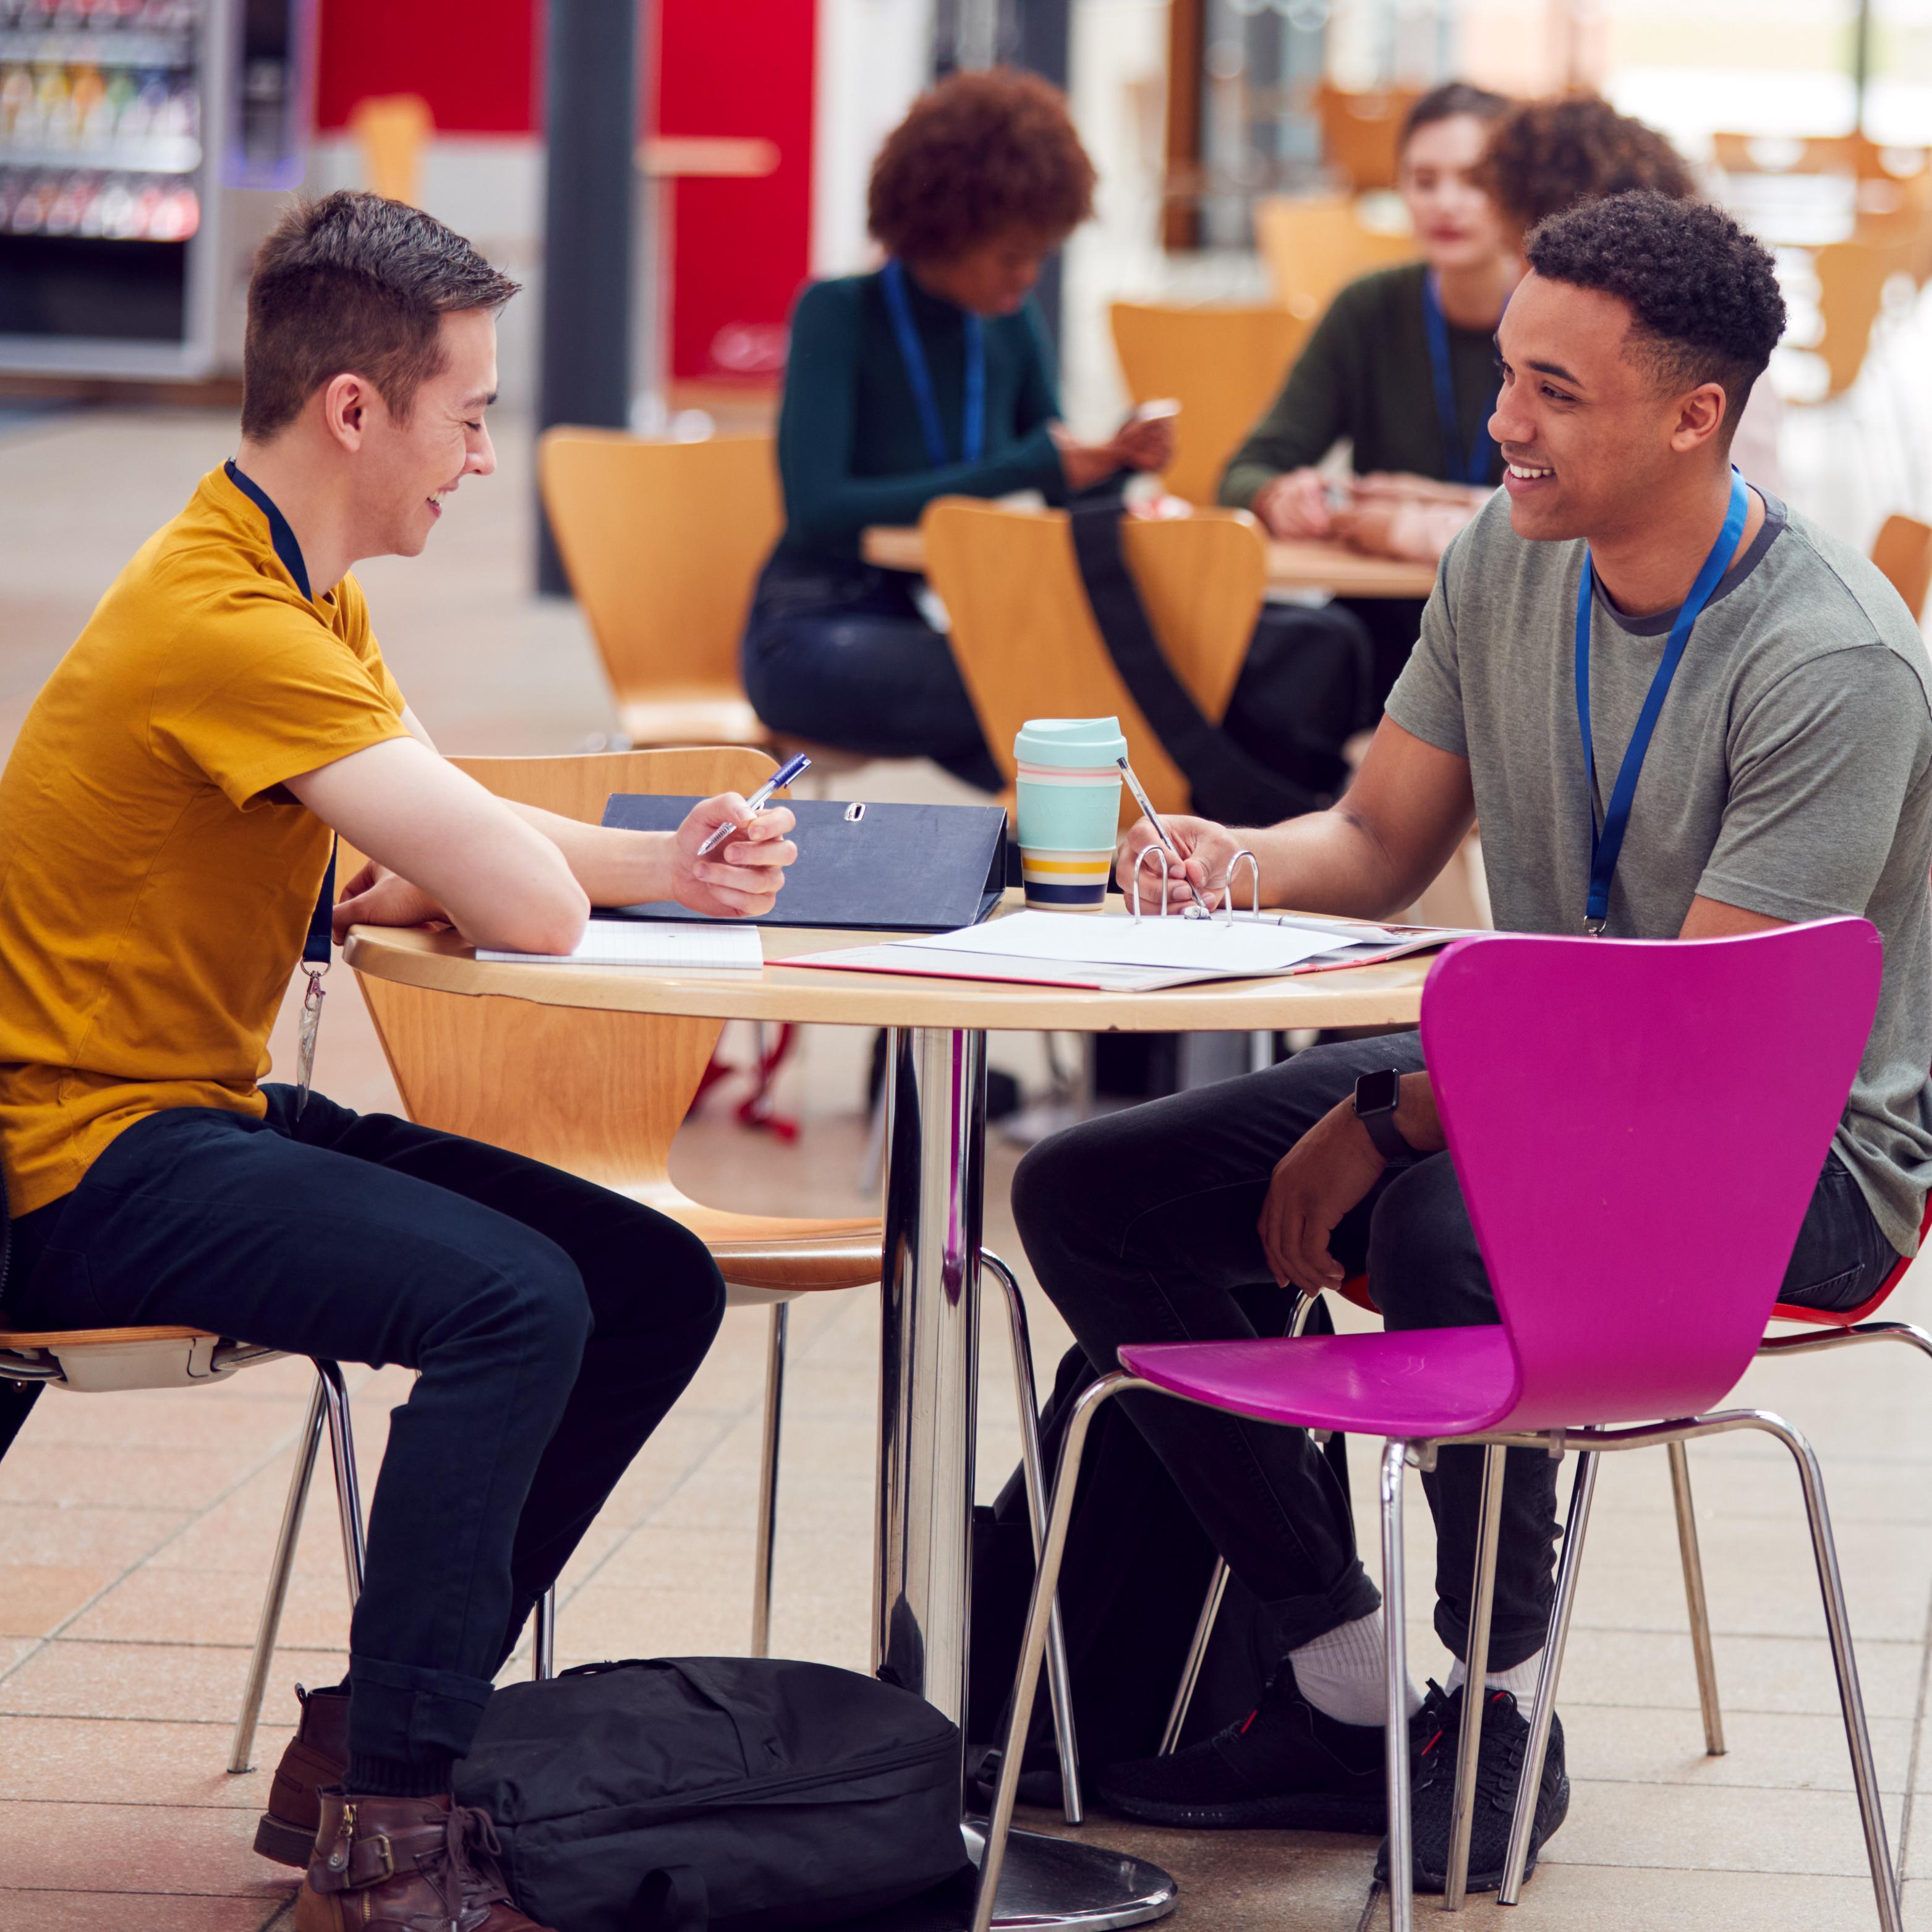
x=1404, y=368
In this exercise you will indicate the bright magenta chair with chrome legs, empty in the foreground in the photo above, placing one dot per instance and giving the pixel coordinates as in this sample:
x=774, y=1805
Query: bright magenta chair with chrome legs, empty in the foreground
x=1637, y=1168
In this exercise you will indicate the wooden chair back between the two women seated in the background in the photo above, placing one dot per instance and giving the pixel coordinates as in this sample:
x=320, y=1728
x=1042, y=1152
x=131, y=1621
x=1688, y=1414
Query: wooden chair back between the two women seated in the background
x=1222, y=364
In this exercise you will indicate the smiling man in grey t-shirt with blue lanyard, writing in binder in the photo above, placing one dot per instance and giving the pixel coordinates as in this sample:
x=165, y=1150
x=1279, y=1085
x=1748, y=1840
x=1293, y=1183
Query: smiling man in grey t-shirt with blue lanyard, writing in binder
x=1788, y=780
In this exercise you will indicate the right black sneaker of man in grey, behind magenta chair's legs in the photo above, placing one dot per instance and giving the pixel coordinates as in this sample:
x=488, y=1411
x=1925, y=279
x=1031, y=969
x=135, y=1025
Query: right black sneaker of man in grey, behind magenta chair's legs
x=1433, y=1751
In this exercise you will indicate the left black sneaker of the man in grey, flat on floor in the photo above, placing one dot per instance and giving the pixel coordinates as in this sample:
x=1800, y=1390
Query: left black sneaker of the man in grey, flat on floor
x=1286, y=1767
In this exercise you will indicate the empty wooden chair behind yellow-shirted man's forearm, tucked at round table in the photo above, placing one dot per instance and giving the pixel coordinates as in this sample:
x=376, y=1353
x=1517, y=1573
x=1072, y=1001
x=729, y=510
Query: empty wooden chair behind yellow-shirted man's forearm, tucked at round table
x=604, y=1094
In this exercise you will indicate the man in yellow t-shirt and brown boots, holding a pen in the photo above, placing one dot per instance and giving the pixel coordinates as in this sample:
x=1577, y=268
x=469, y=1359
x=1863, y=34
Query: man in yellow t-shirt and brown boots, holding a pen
x=169, y=818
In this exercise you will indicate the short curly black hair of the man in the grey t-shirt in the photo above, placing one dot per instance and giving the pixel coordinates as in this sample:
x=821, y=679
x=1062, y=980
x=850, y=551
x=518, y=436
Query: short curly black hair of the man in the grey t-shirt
x=1703, y=293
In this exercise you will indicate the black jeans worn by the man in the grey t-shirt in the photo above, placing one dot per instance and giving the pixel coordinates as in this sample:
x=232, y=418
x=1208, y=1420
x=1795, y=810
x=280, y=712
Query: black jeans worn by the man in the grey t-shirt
x=1143, y=1230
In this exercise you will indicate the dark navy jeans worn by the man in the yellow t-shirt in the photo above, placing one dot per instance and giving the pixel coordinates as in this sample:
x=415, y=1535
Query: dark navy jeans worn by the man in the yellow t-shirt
x=552, y=1322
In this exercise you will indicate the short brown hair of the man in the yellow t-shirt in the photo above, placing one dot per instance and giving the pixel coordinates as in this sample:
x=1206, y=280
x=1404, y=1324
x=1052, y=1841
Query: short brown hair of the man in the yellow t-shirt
x=355, y=283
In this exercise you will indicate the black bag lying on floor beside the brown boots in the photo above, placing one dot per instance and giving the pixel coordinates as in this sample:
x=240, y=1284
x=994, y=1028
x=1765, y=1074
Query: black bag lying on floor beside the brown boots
x=716, y=1796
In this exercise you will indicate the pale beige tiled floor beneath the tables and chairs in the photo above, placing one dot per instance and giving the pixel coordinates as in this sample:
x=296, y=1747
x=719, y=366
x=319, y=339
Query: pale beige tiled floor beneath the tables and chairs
x=134, y=1531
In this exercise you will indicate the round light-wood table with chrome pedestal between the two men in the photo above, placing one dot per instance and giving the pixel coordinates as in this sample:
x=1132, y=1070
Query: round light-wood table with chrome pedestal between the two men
x=934, y=1195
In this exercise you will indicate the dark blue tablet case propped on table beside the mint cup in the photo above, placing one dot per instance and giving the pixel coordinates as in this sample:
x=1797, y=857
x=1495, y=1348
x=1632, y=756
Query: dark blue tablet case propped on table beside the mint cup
x=876, y=868
